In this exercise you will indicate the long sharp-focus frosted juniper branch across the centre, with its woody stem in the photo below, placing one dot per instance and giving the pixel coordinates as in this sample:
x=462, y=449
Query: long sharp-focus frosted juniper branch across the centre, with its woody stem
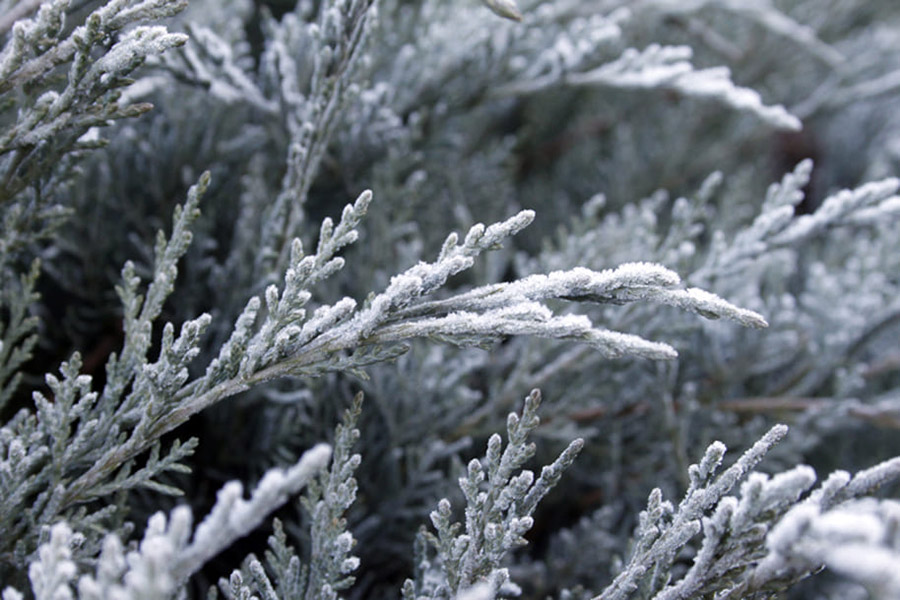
x=283, y=346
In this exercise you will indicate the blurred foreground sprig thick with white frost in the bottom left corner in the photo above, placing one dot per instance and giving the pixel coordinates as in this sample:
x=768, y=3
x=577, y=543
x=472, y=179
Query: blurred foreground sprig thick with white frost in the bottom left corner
x=168, y=553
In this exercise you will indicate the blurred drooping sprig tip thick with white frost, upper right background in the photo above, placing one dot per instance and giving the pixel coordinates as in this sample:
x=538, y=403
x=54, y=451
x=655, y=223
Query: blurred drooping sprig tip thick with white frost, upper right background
x=664, y=67
